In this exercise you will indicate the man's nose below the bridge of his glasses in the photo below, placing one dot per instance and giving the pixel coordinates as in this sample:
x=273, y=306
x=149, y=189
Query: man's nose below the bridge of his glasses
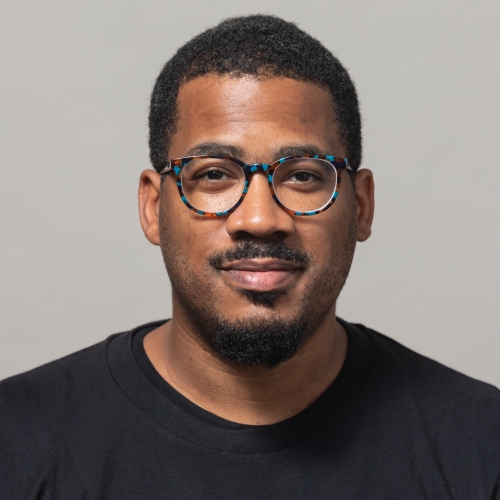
x=259, y=215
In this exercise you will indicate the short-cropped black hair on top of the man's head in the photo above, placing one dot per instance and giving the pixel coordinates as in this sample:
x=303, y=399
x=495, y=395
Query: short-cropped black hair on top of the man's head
x=258, y=45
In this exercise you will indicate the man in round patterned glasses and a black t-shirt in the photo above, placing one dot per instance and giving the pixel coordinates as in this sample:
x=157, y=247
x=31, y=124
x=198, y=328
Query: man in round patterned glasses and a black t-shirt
x=254, y=389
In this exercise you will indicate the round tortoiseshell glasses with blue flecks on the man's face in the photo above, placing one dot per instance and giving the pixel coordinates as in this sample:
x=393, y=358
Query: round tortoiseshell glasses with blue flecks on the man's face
x=214, y=186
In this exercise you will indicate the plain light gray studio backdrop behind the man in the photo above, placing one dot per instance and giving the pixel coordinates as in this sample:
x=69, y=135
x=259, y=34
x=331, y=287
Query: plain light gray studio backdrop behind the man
x=75, y=77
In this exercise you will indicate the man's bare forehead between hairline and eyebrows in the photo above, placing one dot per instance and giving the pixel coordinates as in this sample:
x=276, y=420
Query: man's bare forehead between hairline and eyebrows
x=255, y=115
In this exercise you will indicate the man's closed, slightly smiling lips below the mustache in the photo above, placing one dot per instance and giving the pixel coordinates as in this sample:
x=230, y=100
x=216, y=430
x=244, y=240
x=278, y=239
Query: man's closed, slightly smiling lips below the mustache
x=262, y=275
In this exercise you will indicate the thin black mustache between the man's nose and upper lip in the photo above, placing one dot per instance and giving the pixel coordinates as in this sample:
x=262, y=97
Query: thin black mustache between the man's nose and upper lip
x=250, y=249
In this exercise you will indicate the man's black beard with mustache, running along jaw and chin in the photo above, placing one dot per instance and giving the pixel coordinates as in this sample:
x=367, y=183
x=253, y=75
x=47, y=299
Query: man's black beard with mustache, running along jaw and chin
x=265, y=339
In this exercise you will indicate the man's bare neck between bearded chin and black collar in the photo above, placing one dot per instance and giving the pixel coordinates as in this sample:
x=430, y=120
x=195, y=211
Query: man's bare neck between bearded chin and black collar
x=245, y=394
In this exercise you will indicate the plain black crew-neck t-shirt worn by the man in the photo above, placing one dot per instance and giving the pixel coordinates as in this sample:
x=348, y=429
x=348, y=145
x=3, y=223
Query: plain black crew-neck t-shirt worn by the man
x=103, y=424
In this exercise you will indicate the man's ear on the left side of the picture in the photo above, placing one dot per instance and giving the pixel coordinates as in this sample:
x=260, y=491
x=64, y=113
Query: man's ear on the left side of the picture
x=149, y=205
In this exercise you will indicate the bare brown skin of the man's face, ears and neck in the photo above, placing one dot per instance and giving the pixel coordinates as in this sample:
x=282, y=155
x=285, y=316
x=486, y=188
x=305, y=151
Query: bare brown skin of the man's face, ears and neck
x=260, y=117
